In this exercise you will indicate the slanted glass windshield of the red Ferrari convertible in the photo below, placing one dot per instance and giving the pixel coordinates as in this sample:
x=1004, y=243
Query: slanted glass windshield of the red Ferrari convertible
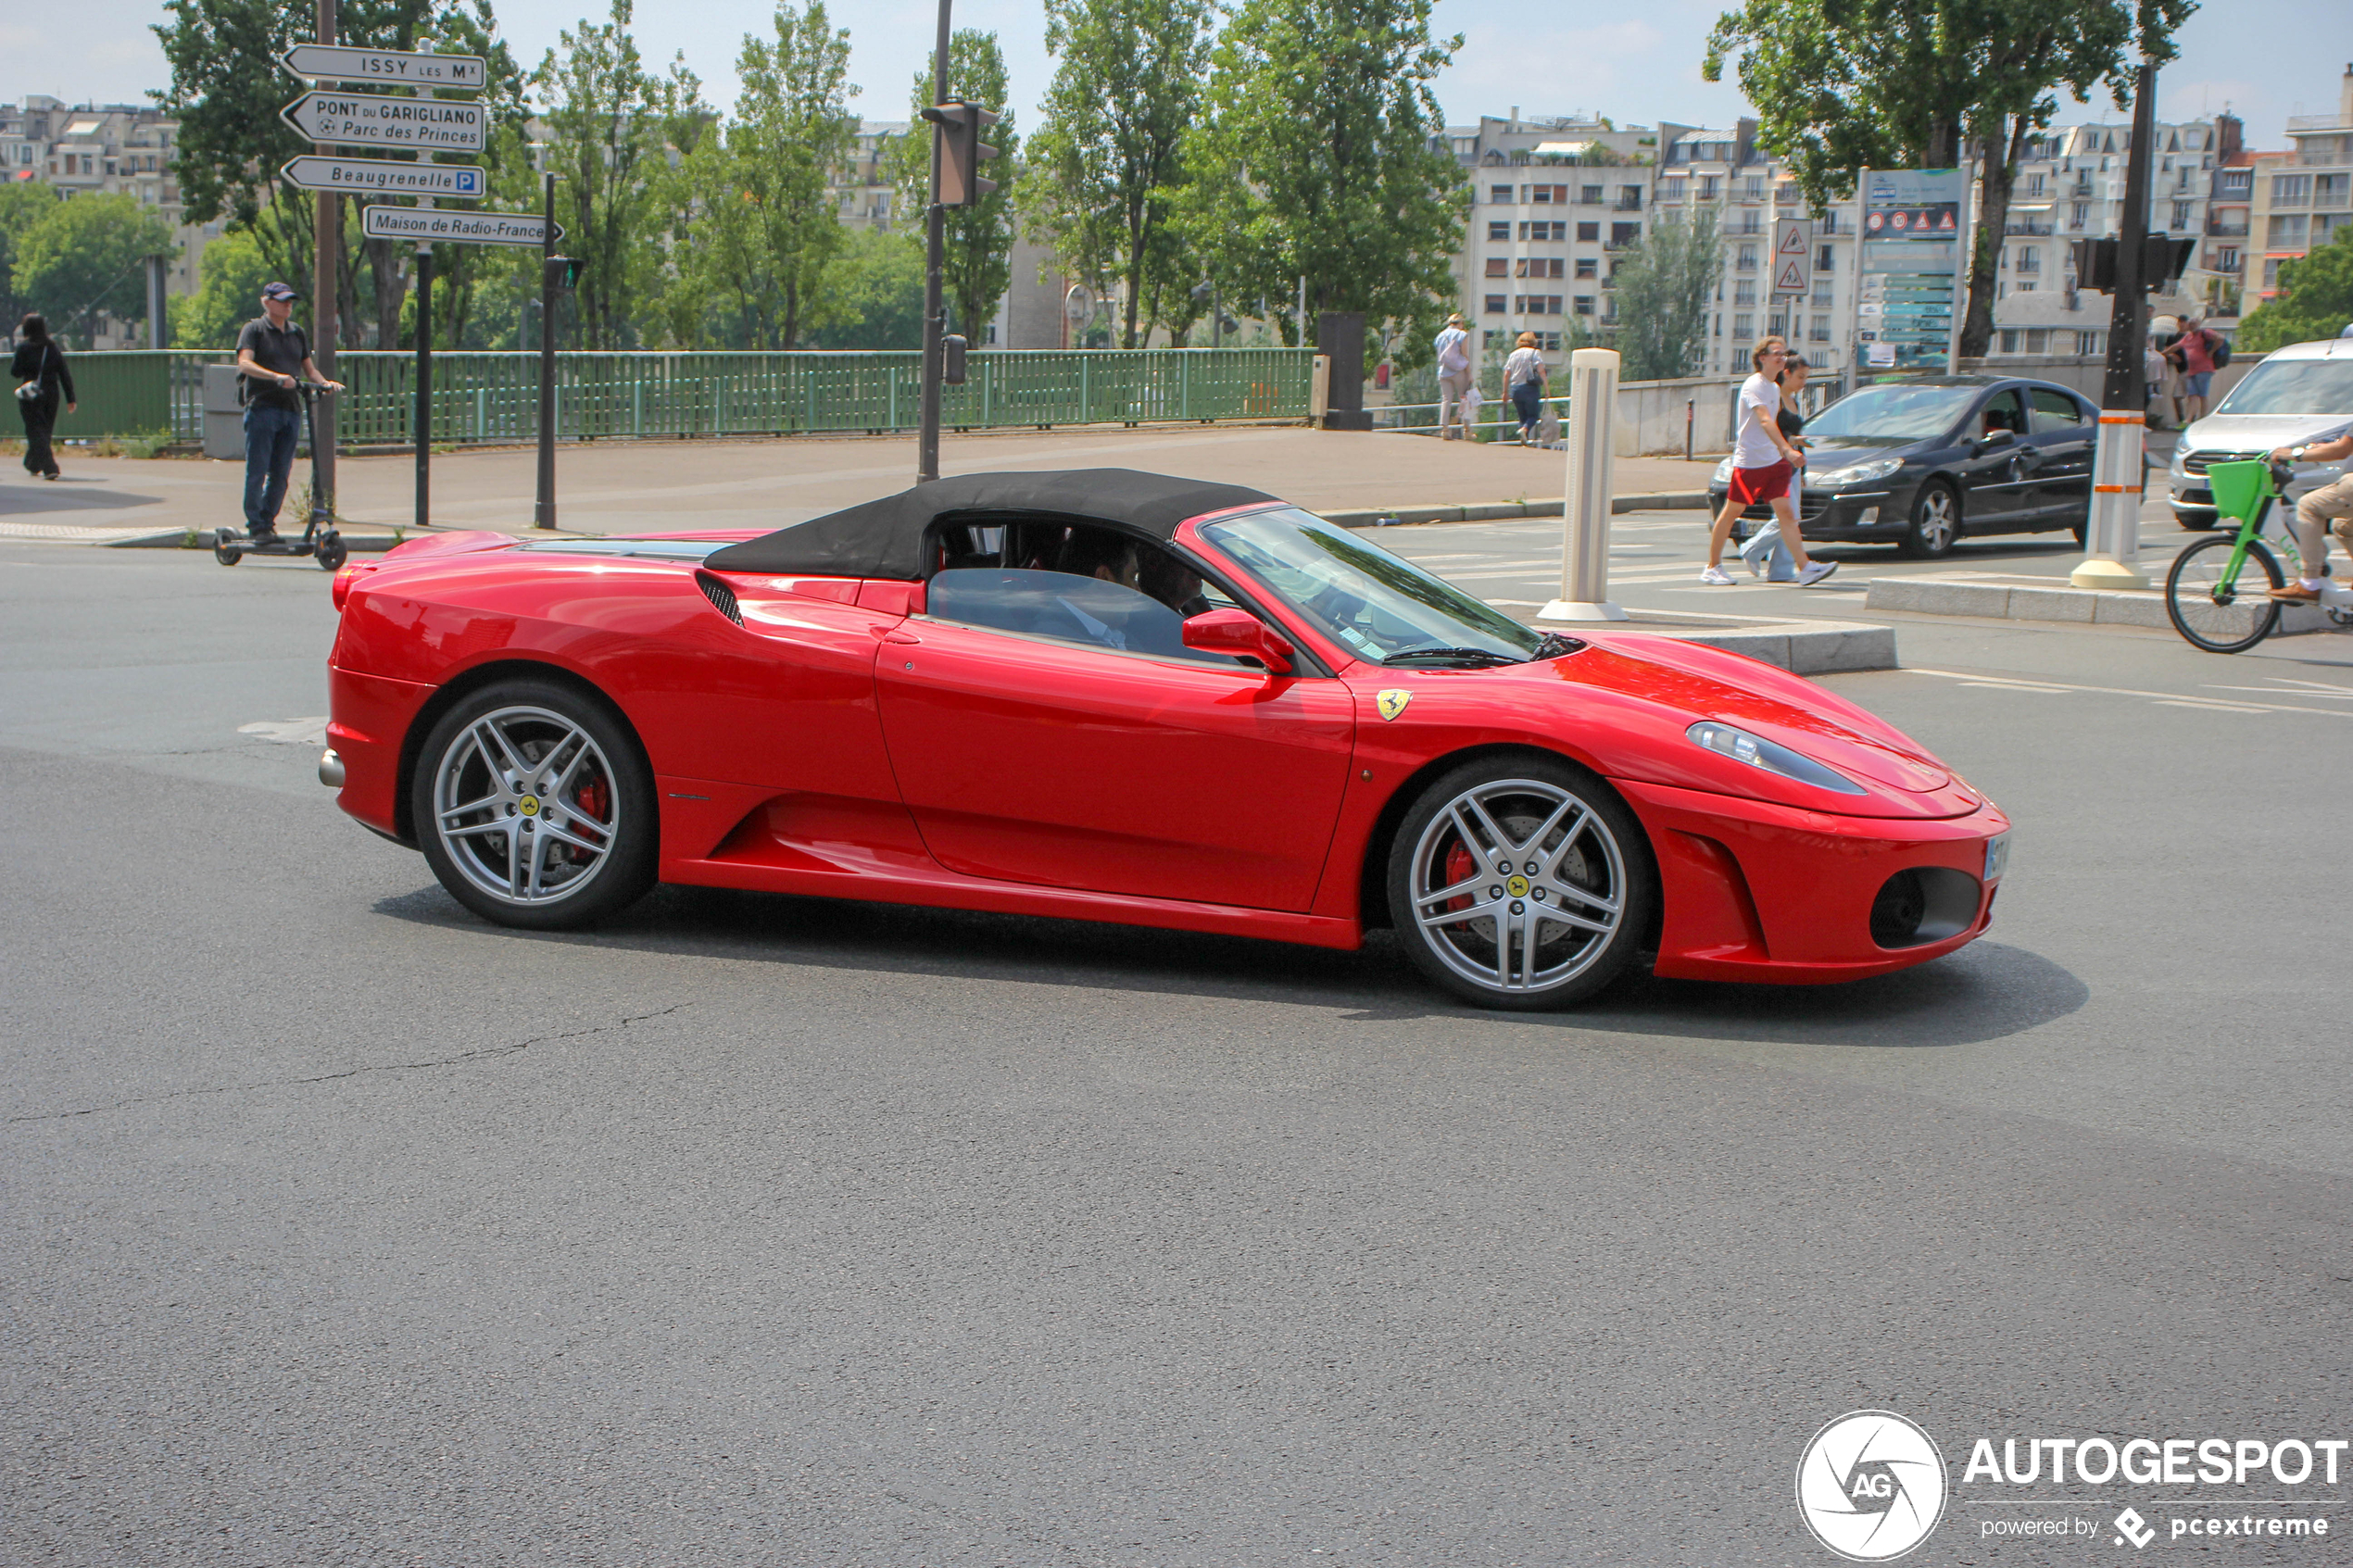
x=1380, y=608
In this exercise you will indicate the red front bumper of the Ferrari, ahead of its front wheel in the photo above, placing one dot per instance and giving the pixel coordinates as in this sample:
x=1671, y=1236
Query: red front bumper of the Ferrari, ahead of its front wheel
x=1785, y=897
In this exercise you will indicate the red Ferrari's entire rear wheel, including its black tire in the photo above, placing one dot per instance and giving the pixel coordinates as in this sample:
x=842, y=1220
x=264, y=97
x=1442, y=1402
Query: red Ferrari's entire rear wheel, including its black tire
x=599, y=812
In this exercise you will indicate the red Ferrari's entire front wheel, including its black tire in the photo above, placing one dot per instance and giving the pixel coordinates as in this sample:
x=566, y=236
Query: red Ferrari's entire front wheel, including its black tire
x=1580, y=869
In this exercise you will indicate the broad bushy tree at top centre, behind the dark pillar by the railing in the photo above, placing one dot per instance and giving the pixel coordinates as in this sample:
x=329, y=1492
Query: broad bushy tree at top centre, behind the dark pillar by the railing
x=1314, y=159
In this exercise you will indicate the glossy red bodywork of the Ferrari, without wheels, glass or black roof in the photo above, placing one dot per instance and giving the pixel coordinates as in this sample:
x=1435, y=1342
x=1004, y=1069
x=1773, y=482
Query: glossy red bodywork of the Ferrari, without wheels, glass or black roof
x=844, y=744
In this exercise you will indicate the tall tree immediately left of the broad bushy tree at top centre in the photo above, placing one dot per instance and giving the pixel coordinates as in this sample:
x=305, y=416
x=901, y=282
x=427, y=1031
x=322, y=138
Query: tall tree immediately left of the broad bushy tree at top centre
x=1109, y=135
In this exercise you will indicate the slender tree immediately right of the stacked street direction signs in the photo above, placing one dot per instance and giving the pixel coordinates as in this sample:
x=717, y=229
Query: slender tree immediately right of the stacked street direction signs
x=611, y=126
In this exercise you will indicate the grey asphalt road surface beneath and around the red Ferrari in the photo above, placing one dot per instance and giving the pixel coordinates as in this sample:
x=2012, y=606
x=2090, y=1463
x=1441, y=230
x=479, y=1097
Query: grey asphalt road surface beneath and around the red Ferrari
x=759, y=1231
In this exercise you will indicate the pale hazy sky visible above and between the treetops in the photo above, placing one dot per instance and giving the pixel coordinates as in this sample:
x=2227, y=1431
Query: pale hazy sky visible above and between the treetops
x=2267, y=60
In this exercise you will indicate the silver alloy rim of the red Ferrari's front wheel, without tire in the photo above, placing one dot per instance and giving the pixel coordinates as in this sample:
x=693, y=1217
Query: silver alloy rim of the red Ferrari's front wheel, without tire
x=1519, y=885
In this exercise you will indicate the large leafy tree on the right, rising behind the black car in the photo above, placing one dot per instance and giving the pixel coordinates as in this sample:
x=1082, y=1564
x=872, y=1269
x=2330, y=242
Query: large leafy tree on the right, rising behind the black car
x=1846, y=86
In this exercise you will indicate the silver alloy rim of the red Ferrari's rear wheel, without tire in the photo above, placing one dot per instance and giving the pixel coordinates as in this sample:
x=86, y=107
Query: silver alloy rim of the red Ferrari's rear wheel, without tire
x=526, y=805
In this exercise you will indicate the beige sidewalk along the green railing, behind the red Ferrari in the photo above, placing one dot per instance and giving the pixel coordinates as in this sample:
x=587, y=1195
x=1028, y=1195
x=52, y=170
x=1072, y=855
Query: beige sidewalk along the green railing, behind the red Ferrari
x=620, y=488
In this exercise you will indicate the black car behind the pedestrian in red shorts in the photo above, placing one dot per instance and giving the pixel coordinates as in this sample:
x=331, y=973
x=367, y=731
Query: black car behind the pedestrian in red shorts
x=1933, y=460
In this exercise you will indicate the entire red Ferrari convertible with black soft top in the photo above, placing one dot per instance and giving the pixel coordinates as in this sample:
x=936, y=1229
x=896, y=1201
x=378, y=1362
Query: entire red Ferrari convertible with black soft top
x=1135, y=699
